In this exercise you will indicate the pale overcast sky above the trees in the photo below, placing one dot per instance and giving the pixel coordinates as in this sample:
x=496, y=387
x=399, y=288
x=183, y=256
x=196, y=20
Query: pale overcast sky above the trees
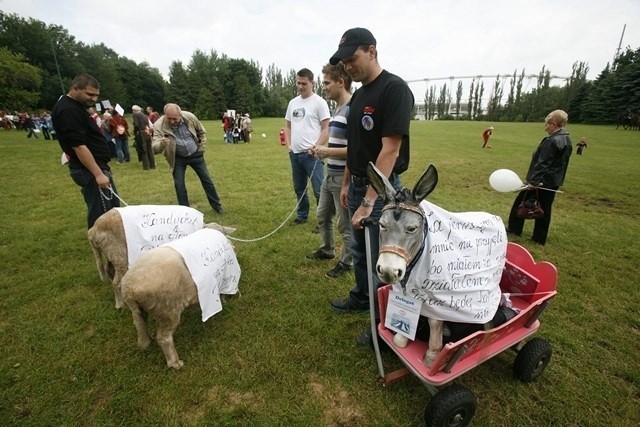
x=416, y=39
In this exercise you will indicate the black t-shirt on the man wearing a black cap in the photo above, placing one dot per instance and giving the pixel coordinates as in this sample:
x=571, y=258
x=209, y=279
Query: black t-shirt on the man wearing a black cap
x=381, y=108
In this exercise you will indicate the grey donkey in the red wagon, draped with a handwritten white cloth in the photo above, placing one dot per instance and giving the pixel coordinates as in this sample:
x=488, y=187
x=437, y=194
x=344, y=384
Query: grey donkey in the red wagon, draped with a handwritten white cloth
x=457, y=269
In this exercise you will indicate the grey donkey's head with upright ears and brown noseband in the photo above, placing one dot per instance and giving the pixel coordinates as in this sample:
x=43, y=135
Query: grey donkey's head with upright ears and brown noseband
x=402, y=224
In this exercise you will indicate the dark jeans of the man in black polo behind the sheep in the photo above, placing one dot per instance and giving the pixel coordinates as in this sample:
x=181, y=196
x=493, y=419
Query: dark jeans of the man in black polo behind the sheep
x=97, y=202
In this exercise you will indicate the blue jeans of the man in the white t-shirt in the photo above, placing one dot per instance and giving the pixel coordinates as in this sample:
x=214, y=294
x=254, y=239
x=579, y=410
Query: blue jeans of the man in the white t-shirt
x=303, y=167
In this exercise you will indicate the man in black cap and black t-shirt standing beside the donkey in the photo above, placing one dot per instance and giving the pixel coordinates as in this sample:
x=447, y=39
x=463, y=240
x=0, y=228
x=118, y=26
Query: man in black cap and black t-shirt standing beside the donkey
x=378, y=132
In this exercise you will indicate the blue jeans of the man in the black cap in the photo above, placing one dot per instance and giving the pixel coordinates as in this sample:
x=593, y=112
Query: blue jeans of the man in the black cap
x=359, y=295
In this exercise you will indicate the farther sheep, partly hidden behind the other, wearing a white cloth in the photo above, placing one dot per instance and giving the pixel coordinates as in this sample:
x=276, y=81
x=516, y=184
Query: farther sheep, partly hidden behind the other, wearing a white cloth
x=108, y=239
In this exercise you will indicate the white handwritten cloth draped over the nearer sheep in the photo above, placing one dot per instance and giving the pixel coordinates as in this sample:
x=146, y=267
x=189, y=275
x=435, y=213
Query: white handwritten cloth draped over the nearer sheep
x=213, y=265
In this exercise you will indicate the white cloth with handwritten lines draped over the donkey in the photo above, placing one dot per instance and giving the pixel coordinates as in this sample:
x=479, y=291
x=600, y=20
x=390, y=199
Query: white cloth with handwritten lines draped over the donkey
x=458, y=275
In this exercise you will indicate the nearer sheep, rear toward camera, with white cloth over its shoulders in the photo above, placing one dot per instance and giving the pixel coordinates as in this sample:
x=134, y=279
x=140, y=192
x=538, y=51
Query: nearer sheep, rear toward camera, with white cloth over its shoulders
x=160, y=283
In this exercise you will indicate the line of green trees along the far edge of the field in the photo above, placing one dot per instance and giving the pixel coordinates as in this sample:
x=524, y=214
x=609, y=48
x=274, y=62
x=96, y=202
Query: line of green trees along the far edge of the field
x=38, y=62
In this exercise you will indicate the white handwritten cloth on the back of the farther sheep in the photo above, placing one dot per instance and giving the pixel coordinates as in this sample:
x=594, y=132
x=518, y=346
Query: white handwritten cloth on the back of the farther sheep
x=149, y=226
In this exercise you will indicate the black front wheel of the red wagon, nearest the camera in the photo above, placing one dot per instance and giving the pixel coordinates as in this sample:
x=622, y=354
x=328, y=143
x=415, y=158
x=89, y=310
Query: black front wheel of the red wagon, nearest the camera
x=453, y=406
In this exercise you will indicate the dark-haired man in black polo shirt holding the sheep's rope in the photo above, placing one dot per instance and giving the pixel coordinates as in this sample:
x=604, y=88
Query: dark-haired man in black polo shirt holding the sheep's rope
x=85, y=146
